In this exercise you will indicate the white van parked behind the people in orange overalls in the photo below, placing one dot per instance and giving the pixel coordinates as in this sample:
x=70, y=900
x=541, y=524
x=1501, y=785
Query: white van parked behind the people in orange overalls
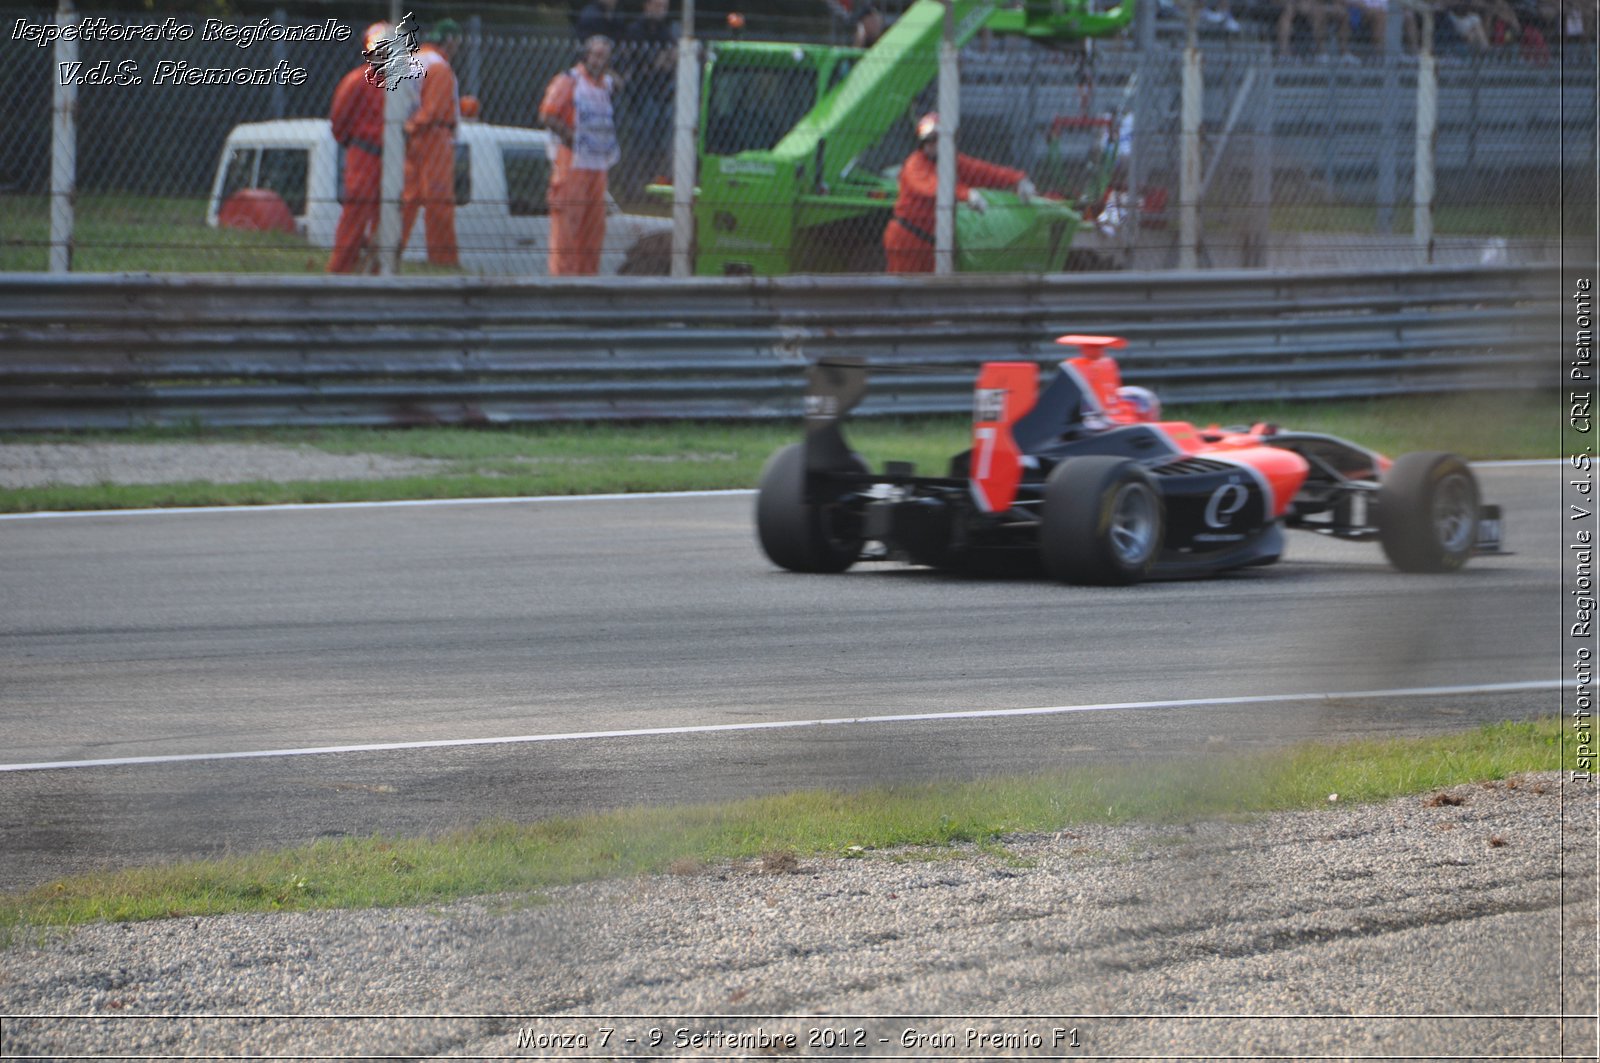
x=503, y=174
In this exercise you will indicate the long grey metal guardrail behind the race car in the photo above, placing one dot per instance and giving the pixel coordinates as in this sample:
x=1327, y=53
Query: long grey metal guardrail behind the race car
x=116, y=351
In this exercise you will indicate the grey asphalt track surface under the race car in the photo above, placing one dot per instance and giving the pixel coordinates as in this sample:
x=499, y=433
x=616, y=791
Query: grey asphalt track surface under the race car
x=223, y=633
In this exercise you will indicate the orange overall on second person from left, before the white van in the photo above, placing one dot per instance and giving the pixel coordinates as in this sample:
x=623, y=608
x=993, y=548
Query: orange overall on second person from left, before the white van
x=431, y=161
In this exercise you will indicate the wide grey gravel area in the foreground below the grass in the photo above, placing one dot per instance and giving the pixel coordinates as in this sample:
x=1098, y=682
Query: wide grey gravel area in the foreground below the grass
x=1420, y=928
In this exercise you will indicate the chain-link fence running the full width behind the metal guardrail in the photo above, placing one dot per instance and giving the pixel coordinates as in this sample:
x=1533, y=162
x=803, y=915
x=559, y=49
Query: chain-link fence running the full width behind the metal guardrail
x=1268, y=145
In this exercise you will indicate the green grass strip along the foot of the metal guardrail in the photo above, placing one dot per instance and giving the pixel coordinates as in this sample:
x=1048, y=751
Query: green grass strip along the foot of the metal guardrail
x=678, y=457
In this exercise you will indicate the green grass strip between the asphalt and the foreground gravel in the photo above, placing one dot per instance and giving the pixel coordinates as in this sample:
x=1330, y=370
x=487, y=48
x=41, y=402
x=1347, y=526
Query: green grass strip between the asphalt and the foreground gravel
x=526, y=859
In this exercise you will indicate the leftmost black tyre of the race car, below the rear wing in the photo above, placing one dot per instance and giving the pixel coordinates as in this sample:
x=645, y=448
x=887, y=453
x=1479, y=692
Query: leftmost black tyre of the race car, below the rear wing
x=804, y=536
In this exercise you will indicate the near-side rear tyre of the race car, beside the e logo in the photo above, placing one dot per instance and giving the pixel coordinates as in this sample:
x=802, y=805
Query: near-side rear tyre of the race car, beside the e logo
x=1103, y=521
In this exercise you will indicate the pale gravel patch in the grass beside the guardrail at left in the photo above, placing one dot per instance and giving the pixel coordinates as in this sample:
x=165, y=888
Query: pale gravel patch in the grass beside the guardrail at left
x=84, y=465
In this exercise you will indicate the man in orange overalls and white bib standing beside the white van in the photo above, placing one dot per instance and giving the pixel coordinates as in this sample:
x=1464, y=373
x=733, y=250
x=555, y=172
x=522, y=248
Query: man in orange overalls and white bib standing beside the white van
x=580, y=113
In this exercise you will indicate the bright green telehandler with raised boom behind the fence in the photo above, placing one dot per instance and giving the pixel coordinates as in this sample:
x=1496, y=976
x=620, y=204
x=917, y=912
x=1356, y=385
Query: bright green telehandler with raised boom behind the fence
x=793, y=146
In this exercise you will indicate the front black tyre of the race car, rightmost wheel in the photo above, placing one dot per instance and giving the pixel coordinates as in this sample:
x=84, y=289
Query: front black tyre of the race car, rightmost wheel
x=1428, y=513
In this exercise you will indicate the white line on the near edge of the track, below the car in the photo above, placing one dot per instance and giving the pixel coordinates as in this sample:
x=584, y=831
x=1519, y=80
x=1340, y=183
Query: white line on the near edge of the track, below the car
x=713, y=729
